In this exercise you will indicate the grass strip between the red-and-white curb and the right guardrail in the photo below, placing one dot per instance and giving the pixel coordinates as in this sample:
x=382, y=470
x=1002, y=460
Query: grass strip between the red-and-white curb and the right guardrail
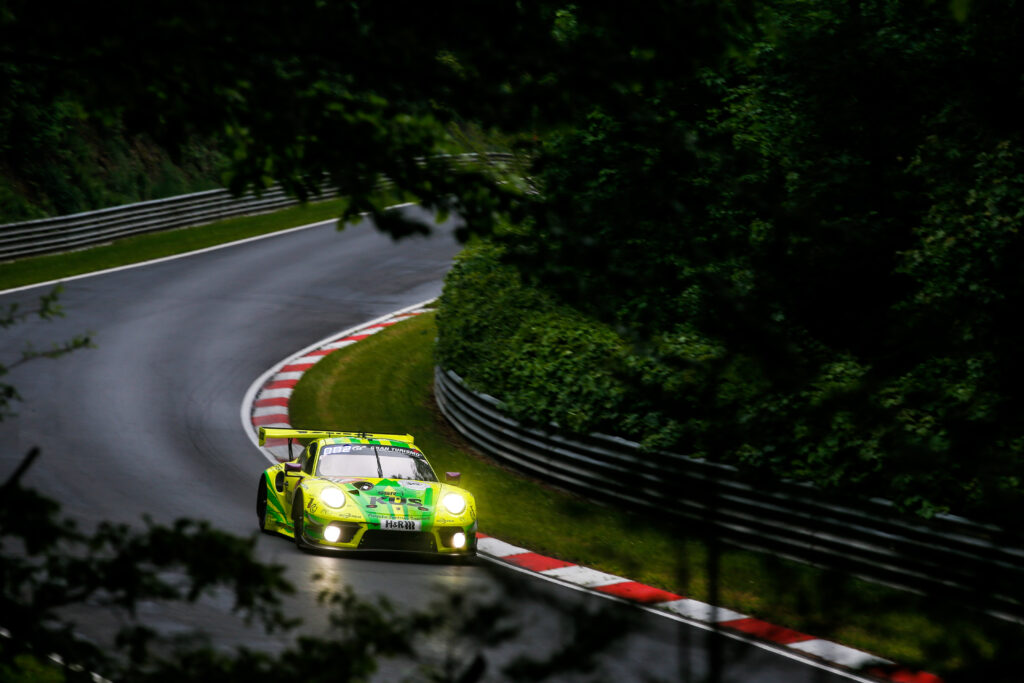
x=385, y=385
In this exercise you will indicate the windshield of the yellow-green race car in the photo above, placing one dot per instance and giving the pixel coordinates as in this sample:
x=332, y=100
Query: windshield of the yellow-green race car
x=369, y=461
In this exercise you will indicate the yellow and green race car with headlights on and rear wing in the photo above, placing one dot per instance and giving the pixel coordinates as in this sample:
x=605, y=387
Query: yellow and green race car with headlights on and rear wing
x=355, y=491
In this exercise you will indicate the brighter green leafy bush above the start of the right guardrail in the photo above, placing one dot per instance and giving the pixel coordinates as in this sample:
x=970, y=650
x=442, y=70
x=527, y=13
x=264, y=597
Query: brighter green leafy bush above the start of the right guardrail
x=548, y=363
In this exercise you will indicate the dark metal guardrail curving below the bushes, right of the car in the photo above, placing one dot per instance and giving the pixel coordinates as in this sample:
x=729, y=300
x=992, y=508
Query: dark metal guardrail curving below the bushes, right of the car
x=948, y=558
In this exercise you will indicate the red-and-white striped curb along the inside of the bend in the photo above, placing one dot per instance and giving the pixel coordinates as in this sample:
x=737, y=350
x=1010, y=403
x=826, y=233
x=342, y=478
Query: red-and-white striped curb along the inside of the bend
x=266, y=405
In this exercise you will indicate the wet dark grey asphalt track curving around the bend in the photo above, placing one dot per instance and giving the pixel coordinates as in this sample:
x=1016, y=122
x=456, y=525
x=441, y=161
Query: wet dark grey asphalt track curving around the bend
x=148, y=423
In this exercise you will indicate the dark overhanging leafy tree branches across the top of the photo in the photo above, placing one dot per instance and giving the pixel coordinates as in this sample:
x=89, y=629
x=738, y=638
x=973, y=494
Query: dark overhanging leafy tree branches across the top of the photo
x=297, y=91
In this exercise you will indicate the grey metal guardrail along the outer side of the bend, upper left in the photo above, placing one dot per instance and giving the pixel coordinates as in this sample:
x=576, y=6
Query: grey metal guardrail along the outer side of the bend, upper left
x=93, y=228
